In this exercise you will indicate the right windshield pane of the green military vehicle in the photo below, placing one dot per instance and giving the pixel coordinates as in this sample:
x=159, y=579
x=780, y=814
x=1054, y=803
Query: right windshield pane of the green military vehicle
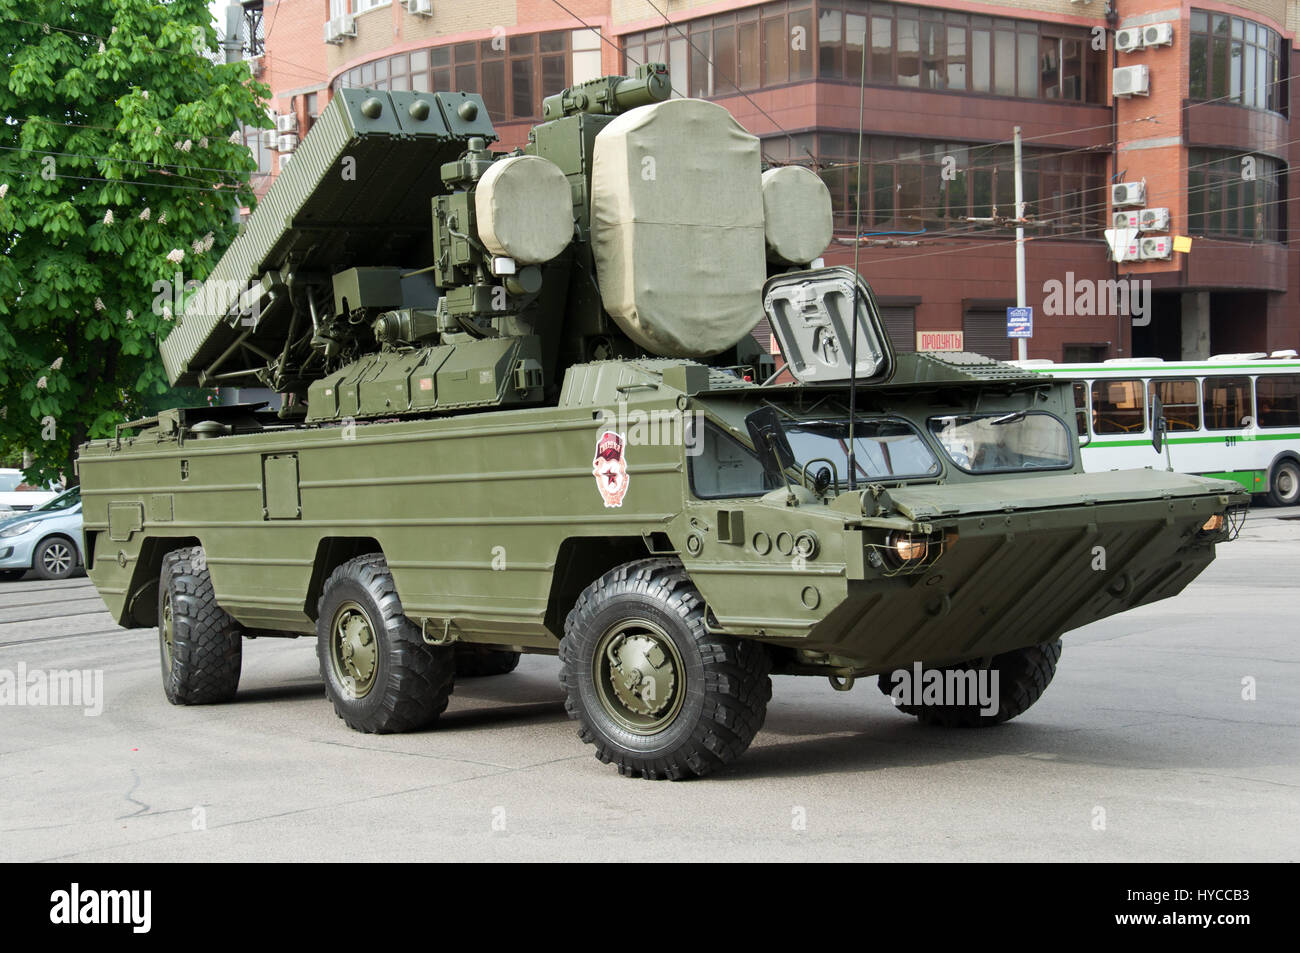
x=1004, y=443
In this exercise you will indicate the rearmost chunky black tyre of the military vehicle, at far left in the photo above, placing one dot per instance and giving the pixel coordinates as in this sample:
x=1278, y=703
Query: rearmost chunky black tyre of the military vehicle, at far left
x=207, y=644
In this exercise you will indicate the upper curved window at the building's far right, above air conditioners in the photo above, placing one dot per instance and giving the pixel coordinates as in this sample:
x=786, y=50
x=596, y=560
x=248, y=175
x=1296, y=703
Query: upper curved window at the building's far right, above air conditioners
x=1236, y=60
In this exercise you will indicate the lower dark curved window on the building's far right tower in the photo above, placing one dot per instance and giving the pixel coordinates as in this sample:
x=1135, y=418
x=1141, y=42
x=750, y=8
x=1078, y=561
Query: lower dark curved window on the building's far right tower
x=1234, y=196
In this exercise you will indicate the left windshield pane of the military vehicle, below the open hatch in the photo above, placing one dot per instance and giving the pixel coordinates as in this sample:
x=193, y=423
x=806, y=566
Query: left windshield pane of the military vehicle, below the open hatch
x=883, y=449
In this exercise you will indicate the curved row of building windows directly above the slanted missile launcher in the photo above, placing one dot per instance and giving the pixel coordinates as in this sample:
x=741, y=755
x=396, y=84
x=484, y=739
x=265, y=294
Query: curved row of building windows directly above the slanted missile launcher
x=513, y=75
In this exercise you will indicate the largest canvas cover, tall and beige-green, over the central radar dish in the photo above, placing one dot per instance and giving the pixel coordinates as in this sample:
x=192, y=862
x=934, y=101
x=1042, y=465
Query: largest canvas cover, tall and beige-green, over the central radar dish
x=678, y=227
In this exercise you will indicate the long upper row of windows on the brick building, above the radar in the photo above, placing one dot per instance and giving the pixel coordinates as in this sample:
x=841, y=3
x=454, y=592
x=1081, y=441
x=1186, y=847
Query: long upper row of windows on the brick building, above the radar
x=899, y=46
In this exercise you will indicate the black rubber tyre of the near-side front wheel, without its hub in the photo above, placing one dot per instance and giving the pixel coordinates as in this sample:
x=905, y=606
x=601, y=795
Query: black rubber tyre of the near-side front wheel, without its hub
x=727, y=685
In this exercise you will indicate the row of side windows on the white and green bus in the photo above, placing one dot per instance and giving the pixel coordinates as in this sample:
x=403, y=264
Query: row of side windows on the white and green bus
x=1211, y=404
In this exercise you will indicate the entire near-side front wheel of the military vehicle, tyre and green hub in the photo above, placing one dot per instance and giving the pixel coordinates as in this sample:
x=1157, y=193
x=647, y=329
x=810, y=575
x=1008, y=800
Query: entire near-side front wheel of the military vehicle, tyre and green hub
x=651, y=687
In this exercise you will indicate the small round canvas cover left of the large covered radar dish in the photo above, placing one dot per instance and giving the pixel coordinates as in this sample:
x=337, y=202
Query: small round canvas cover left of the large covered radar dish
x=526, y=210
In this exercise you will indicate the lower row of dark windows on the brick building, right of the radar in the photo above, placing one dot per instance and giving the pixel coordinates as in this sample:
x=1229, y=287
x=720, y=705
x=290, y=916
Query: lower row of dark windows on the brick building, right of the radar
x=911, y=185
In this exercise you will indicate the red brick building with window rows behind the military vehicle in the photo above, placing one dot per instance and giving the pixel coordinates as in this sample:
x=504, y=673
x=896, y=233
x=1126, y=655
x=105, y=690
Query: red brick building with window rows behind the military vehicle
x=1206, y=133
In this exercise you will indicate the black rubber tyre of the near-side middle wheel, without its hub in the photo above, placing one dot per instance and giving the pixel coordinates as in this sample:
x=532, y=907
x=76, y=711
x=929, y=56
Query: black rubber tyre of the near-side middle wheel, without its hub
x=413, y=681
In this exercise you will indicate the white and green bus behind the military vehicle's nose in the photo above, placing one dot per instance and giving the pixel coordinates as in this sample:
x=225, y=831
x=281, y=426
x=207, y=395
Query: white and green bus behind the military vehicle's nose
x=1233, y=417
